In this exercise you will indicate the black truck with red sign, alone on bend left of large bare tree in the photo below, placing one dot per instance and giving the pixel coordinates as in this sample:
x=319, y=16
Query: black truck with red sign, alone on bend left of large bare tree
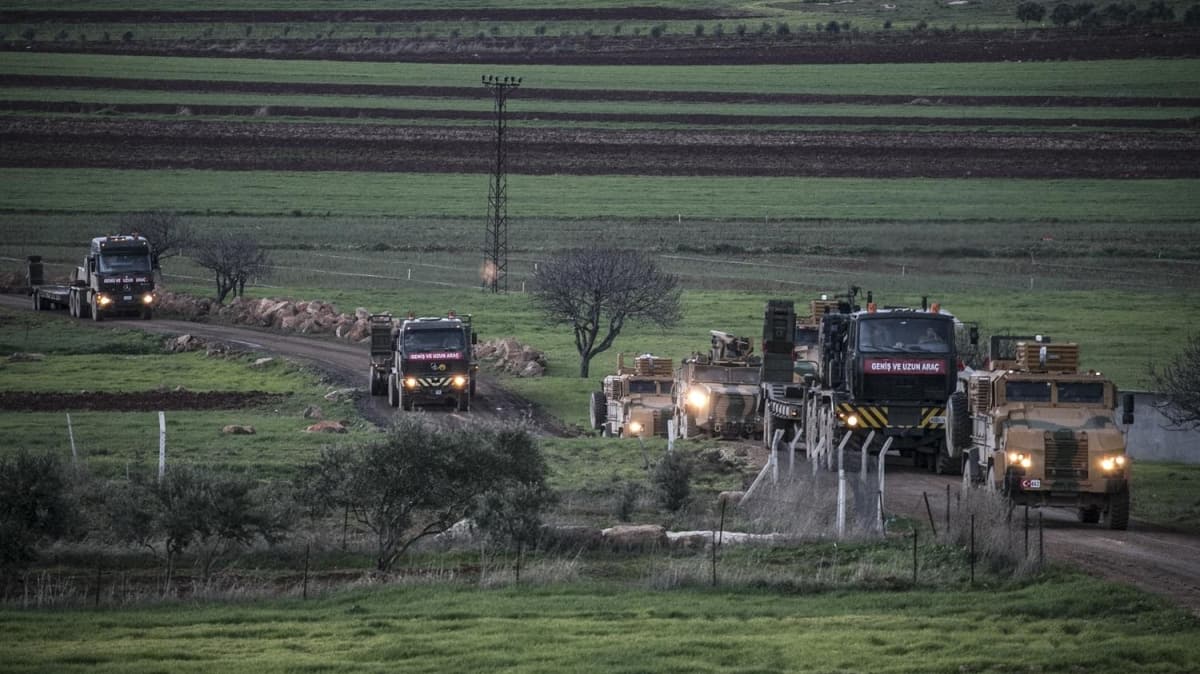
x=423, y=362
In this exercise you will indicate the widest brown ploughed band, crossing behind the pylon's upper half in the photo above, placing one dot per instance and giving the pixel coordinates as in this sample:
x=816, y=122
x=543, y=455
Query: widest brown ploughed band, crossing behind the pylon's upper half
x=151, y=145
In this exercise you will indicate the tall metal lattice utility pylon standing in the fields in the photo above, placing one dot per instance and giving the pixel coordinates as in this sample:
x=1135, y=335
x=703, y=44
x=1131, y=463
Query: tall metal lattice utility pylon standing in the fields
x=496, y=238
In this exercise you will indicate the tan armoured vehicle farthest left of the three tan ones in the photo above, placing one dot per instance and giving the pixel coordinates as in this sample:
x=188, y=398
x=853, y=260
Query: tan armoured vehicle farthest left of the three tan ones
x=635, y=402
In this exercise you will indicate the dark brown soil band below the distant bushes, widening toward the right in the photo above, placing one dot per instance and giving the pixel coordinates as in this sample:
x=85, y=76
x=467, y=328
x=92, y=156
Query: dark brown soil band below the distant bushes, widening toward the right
x=893, y=47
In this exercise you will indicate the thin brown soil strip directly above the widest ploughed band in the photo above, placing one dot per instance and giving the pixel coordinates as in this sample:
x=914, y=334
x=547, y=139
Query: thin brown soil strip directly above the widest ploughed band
x=68, y=107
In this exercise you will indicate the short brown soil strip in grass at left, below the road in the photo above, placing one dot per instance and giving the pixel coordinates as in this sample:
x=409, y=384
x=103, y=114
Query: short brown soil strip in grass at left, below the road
x=143, y=401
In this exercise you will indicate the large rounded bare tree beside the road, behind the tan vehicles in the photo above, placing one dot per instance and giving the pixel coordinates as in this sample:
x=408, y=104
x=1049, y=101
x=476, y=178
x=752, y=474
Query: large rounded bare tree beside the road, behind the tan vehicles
x=598, y=291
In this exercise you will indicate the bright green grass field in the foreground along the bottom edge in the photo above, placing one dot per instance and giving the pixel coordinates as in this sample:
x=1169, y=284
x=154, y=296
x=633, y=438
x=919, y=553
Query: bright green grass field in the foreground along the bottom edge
x=1064, y=623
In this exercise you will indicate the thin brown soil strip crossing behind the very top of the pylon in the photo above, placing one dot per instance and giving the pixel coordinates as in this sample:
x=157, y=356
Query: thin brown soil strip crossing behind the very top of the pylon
x=536, y=94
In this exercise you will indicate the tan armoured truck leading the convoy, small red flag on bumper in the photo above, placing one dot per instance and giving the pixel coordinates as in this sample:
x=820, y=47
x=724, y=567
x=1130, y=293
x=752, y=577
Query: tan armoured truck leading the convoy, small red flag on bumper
x=1043, y=434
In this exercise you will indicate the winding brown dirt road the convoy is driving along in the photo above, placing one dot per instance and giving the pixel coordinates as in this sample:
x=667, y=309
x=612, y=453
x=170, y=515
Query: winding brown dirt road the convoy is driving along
x=1156, y=561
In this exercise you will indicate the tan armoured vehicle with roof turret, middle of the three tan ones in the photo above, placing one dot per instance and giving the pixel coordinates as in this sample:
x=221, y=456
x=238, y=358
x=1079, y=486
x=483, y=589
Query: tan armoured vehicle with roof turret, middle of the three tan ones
x=717, y=394
